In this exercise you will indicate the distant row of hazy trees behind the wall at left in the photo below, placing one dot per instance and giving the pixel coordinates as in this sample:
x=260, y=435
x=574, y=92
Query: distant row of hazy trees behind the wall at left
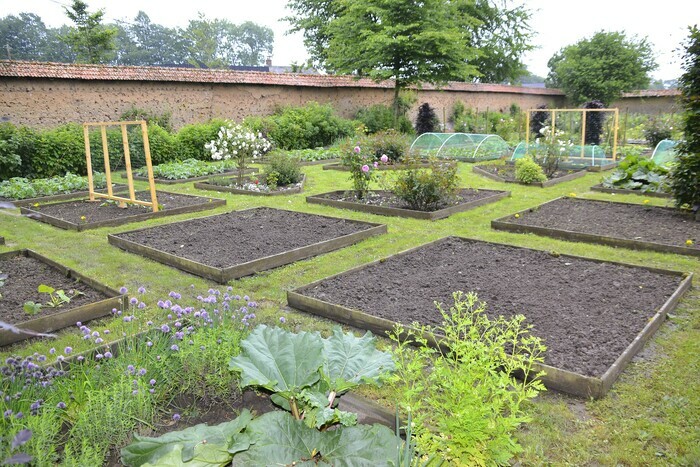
x=203, y=43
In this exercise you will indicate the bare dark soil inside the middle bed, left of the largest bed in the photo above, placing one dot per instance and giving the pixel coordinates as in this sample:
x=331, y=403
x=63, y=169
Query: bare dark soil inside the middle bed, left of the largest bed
x=237, y=237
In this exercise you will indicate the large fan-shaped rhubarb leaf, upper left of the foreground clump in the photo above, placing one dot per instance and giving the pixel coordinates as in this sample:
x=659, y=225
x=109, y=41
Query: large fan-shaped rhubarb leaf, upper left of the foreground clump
x=279, y=361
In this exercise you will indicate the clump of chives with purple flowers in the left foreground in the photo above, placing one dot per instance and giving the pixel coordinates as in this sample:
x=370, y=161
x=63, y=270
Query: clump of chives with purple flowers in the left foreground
x=87, y=402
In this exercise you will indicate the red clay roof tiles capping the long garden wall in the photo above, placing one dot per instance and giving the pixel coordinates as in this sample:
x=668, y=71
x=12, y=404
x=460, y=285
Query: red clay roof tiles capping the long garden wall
x=20, y=69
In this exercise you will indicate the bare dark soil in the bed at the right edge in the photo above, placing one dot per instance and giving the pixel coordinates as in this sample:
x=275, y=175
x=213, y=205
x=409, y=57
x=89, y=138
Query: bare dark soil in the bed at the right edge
x=620, y=220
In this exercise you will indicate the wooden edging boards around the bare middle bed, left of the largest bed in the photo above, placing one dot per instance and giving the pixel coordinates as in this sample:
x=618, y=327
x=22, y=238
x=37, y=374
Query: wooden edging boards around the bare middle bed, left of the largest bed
x=224, y=274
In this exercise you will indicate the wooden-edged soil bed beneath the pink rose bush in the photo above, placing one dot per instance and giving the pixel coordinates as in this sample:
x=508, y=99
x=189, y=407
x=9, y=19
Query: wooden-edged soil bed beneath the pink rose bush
x=387, y=204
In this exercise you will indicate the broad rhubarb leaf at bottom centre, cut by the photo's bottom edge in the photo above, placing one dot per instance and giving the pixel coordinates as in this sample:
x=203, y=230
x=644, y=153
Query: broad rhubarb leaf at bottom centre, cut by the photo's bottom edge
x=282, y=440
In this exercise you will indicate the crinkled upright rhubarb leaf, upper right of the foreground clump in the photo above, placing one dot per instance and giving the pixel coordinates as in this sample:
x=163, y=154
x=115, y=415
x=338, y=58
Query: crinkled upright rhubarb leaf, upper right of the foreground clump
x=350, y=361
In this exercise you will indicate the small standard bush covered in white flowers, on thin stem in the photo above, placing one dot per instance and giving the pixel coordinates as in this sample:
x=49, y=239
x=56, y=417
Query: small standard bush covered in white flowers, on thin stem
x=240, y=144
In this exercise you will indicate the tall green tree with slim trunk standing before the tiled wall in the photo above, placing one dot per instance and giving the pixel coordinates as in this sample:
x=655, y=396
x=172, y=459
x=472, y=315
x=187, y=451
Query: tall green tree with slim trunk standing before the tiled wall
x=411, y=42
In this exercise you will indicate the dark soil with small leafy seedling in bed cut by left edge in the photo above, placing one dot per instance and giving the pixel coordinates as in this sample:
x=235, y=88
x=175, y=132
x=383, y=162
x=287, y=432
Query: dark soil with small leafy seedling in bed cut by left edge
x=24, y=276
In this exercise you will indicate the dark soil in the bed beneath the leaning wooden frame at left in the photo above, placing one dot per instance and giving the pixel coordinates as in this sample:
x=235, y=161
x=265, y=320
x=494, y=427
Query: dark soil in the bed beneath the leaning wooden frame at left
x=102, y=210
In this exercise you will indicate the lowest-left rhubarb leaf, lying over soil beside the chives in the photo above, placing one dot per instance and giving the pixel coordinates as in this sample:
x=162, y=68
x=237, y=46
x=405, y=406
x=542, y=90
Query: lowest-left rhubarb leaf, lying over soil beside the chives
x=194, y=444
